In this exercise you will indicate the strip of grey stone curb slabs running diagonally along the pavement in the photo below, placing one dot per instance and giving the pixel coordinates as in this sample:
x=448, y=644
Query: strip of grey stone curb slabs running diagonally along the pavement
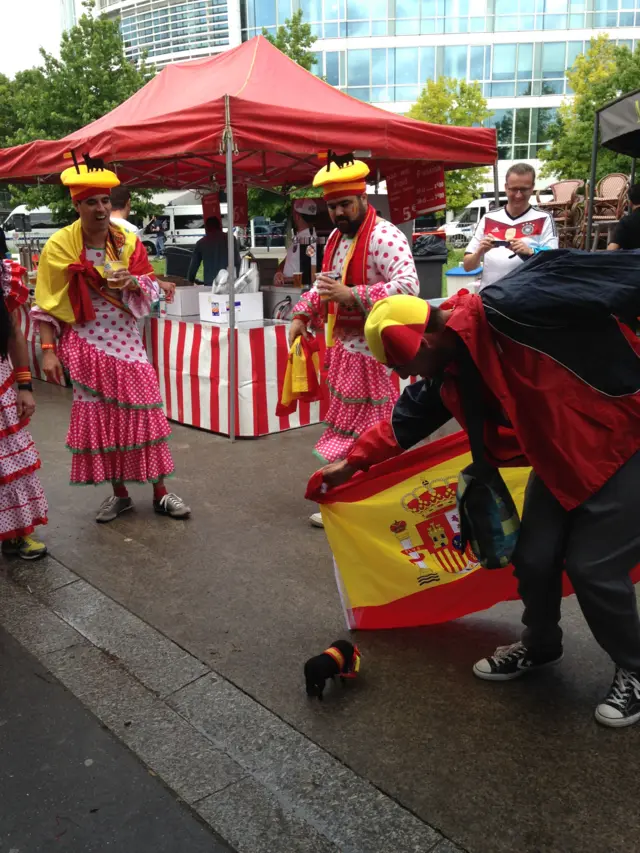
x=260, y=784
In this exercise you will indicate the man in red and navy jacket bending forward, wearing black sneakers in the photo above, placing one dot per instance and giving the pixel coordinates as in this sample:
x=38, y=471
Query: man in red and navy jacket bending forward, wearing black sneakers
x=542, y=361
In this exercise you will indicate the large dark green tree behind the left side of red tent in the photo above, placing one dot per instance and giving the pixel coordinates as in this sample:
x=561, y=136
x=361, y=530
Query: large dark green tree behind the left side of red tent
x=92, y=77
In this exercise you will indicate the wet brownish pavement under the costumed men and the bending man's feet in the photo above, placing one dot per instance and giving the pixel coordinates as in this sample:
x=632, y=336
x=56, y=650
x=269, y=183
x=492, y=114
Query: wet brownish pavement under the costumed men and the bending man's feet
x=246, y=586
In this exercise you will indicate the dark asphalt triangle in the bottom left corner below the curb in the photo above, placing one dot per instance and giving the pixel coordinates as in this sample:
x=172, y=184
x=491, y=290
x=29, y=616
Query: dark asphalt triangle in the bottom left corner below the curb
x=67, y=784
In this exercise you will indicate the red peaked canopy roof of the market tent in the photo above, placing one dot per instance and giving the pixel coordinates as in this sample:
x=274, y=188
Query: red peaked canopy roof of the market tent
x=171, y=132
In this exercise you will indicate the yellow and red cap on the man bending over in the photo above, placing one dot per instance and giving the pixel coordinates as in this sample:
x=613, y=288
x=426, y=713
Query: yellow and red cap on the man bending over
x=395, y=327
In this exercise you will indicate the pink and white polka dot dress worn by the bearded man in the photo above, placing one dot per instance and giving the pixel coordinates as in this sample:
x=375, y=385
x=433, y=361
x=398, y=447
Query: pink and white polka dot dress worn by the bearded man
x=360, y=389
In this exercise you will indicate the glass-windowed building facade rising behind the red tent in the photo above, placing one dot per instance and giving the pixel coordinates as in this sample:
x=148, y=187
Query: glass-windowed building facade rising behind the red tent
x=383, y=51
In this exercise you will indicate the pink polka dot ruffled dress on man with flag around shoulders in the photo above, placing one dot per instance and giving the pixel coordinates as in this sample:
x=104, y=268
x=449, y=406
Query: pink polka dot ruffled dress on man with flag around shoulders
x=118, y=430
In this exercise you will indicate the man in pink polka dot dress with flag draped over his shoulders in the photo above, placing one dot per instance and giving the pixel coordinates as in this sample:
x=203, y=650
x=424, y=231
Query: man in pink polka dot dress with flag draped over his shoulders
x=94, y=283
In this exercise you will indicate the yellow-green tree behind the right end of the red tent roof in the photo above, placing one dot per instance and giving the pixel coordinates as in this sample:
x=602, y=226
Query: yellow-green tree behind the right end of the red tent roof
x=454, y=102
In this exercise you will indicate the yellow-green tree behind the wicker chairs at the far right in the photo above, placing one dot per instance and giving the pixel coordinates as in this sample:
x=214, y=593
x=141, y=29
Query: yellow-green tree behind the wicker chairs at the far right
x=603, y=73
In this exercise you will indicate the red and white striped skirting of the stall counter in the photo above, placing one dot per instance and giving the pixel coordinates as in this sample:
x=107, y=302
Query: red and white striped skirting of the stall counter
x=192, y=362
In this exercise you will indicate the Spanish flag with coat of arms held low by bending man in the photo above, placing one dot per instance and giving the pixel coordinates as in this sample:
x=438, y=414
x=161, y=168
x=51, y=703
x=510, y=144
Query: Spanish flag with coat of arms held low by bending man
x=394, y=534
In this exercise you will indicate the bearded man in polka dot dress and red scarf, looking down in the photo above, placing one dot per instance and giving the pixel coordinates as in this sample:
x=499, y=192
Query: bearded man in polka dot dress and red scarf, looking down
x=366, y=259
